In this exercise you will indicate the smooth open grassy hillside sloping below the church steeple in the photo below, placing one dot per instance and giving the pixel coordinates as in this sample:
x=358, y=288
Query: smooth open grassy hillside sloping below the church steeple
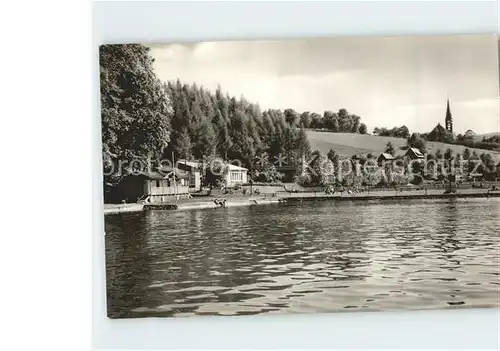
x=349, y=144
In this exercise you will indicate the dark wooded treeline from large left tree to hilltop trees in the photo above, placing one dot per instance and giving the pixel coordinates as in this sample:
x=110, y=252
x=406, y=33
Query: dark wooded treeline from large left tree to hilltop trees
x=144, y=118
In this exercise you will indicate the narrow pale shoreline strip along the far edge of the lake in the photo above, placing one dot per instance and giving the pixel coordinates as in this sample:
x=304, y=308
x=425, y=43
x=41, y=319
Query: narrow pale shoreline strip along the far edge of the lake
x=285, y=197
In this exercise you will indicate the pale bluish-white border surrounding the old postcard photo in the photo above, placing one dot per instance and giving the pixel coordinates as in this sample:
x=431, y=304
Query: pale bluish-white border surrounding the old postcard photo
x=163, y=22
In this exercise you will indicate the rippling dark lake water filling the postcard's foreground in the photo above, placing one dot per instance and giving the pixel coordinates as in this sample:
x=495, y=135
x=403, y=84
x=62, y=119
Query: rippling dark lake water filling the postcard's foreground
x=314, y=257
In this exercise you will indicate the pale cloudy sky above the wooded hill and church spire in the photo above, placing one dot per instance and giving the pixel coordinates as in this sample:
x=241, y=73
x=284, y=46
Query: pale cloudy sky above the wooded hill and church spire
x=387, y=81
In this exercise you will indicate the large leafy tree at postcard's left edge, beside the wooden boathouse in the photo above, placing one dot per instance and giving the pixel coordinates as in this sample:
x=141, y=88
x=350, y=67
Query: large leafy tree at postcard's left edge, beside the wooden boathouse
x=135, y=108
